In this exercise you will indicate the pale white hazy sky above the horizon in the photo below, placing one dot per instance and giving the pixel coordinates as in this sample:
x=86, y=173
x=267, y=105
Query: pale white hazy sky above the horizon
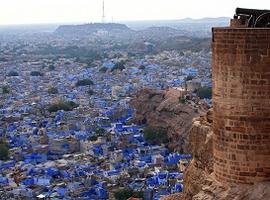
x=55, y=11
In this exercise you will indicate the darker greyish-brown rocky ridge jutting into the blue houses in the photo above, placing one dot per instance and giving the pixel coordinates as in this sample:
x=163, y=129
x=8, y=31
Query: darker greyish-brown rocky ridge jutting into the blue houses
x=162, y=110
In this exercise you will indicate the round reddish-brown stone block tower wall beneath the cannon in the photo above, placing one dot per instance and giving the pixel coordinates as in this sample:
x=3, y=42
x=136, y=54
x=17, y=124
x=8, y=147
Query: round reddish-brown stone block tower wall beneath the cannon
x=241, y=104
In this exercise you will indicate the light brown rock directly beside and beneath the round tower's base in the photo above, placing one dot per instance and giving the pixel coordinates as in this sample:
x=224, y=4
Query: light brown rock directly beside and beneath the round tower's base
x=199, y=182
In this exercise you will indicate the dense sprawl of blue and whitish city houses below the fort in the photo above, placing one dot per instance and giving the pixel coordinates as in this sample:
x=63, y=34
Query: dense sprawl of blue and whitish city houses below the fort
x=88, y=151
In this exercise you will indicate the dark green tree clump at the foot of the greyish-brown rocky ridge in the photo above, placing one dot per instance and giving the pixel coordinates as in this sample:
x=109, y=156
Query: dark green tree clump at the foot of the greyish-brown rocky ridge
x=154, y=136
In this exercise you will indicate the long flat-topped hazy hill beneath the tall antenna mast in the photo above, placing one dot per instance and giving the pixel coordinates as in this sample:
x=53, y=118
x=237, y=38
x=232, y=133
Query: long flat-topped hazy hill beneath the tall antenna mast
x=95, y=28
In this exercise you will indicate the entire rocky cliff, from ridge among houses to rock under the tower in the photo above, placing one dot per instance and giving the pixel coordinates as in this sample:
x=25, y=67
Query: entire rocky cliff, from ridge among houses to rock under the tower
x=191, y=131
